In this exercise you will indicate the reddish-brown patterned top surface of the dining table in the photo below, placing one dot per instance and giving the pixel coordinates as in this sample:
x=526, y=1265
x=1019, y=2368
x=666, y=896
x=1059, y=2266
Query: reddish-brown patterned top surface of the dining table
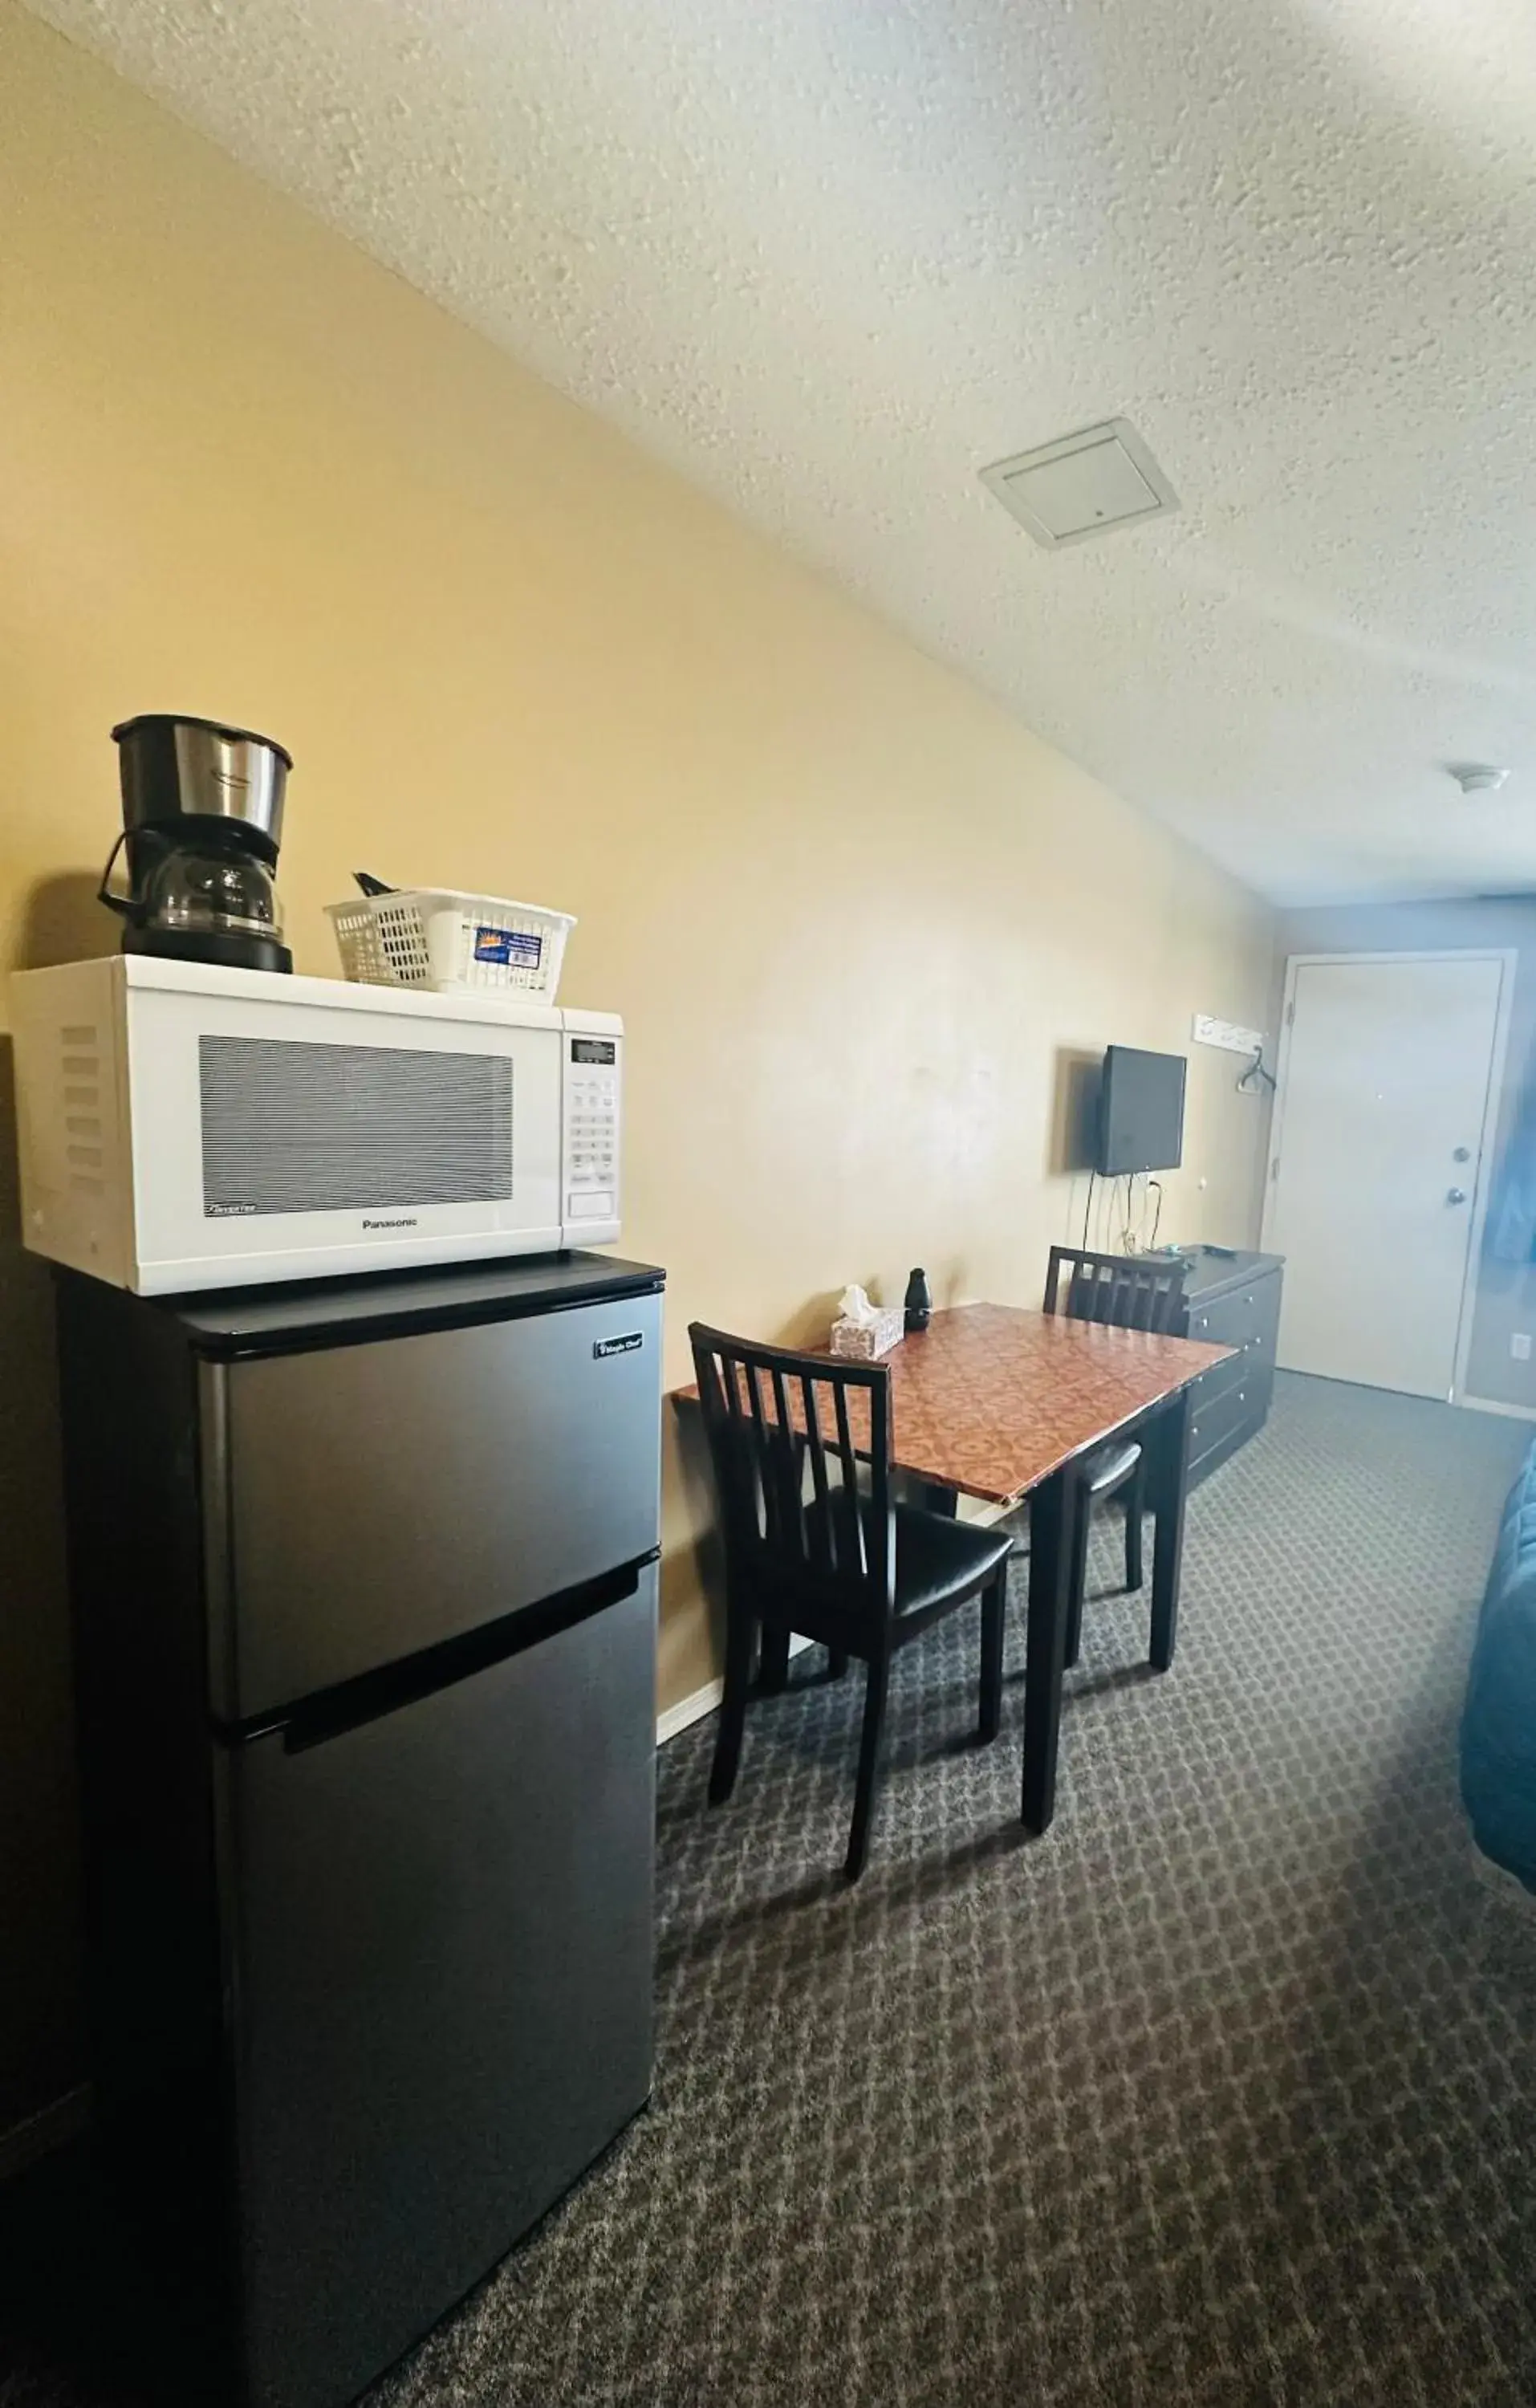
x=991, y=1400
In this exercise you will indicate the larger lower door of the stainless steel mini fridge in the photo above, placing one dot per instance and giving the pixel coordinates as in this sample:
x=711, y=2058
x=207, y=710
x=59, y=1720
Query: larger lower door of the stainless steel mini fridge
x=442, y=1976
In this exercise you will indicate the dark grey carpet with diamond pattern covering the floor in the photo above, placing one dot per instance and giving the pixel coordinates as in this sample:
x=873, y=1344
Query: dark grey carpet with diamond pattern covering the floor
x=1222, y=2094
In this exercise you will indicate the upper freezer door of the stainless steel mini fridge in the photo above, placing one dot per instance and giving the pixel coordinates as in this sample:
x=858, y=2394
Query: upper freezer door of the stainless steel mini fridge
x=372, y=1501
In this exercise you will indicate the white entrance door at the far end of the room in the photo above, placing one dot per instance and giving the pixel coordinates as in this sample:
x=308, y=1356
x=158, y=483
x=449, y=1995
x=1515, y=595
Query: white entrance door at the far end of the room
x=1378, y=1162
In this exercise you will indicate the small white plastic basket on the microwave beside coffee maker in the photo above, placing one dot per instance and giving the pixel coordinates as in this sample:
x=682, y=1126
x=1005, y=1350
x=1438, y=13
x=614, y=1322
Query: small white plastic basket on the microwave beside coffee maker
x=451, y=943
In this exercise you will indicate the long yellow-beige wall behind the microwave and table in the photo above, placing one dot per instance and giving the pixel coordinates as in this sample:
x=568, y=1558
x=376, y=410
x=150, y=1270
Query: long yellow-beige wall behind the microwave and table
x=858, y=919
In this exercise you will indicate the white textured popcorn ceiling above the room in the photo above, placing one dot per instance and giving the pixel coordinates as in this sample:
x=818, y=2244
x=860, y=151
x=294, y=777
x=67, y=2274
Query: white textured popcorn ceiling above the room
x=837, y=256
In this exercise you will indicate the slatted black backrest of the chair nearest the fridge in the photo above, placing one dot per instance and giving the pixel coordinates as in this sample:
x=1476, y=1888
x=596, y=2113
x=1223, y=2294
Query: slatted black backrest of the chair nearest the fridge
x=801, y=1448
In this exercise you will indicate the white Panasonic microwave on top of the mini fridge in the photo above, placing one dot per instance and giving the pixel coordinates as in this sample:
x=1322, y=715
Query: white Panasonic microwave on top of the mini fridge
x=196, y=1128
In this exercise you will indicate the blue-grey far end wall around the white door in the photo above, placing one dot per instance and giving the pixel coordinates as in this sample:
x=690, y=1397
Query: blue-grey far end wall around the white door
x=1506, y=1294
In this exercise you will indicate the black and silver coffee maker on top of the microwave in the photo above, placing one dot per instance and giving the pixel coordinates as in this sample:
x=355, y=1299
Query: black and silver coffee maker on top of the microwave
x=201, y=822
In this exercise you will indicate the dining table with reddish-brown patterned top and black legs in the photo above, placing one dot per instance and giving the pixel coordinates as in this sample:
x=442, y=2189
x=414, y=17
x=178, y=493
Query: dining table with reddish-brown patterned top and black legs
x=1008, y=1407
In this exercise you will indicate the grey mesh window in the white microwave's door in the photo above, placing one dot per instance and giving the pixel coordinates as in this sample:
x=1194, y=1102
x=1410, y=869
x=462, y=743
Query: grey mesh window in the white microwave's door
x=300, y=1128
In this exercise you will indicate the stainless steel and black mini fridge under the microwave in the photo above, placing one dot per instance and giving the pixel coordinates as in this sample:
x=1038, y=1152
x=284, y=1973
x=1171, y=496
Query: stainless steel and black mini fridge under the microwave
x=365, y=1624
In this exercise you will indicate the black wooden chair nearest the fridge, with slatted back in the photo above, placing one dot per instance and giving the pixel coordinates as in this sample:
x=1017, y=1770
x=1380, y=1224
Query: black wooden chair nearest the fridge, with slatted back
x=815, y=1542
